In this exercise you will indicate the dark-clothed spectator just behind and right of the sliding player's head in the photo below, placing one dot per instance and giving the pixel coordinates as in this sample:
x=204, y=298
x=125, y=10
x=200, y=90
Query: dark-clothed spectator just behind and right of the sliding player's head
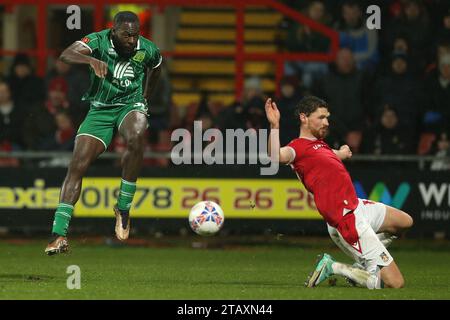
x=343, y=89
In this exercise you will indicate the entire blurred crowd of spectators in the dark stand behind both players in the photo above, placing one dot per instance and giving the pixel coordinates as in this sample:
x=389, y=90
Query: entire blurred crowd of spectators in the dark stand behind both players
x=388, y=89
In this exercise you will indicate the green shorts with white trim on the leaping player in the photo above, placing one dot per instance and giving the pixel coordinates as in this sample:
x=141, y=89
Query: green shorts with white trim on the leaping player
x=101, y=122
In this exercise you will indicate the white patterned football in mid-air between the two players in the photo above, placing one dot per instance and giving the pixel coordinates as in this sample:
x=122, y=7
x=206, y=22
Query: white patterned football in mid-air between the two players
x=206, y=218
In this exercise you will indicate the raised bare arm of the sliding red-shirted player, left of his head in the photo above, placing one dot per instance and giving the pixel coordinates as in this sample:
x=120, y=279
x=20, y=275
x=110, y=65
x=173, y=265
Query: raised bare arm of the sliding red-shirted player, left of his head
x=285, y=154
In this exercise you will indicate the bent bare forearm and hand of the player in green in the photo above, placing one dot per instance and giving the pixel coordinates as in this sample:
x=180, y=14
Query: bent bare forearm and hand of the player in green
x=76, y=53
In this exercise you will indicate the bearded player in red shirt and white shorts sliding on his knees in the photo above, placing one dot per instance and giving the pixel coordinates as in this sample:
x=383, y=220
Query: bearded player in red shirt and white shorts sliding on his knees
x=361, y=228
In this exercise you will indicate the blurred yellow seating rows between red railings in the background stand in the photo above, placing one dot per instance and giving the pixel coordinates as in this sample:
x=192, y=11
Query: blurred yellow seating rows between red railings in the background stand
x=213, y=29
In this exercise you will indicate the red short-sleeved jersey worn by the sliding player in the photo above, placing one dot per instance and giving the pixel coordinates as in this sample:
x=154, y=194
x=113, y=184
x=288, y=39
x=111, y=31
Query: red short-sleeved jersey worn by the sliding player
x=325, y=176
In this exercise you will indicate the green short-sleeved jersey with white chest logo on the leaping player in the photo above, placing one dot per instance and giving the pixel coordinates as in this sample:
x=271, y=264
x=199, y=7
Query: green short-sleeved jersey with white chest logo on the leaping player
x=123, y=84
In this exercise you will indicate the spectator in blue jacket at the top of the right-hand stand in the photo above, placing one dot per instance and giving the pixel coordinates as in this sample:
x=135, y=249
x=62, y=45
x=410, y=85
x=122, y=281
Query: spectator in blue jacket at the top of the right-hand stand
x=355, y=36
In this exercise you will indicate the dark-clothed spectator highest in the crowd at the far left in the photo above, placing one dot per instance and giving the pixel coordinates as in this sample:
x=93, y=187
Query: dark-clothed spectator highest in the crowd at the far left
x=26, y=88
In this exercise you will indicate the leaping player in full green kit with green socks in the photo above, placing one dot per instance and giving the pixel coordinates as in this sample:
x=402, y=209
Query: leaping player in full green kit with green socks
x=120, y=62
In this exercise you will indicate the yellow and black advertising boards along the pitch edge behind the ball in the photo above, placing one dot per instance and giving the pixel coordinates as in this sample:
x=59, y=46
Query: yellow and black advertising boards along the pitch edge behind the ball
x=253, y=204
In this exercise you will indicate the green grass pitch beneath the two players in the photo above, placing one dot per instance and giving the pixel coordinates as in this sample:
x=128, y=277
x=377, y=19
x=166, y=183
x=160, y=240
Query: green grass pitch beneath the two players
x=221, y=271
